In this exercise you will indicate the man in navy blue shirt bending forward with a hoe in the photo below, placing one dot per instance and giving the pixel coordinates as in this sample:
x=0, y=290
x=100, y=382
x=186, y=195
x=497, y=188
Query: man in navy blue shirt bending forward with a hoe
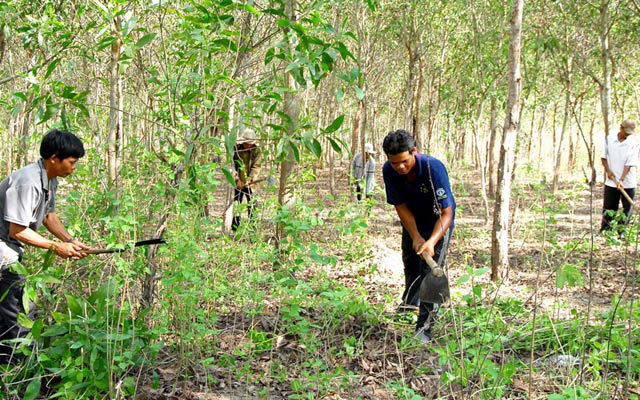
x=418, y=186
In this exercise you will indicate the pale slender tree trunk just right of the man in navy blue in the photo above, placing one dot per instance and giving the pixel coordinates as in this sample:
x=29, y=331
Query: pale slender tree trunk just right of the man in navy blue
x=500, y=242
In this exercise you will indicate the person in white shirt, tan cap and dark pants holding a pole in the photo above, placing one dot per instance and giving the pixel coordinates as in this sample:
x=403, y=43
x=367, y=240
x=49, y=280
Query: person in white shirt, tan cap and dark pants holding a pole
x=619, y=159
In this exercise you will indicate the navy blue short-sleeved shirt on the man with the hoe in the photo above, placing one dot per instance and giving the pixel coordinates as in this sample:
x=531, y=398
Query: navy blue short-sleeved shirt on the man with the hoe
x=426, y=195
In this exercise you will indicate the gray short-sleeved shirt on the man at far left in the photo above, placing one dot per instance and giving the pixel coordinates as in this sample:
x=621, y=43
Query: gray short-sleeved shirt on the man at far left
x=26, y=197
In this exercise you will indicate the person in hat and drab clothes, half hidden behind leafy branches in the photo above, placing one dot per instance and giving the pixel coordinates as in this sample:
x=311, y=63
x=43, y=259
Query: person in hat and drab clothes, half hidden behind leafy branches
x=246, y=161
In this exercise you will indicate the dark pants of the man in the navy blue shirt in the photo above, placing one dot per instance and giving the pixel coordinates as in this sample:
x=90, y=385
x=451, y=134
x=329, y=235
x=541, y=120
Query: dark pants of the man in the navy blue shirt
x=415, y=268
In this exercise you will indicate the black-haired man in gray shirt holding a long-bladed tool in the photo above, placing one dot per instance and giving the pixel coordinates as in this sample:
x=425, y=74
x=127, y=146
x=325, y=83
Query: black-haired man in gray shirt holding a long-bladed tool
x=27, y=201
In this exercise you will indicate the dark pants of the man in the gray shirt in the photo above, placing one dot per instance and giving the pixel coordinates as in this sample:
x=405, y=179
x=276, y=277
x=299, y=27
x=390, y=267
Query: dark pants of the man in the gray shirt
x=11, y=290
